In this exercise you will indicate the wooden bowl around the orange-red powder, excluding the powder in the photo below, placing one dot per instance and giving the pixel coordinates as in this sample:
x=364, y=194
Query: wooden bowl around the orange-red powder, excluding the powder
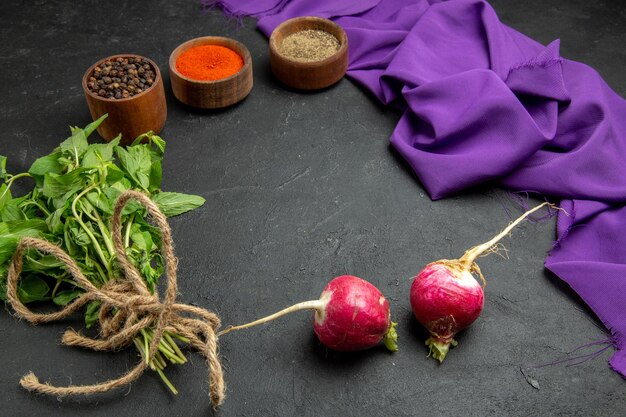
x=212, y=94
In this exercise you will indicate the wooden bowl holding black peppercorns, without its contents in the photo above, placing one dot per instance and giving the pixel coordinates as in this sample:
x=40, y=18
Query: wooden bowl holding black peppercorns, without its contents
x=130, y=116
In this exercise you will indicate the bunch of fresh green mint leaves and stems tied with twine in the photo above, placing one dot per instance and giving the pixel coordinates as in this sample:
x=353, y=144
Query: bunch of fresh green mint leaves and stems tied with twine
x=71, y=204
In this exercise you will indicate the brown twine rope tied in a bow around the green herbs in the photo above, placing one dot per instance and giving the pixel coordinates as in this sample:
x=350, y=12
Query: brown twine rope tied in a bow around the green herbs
x=127, y=307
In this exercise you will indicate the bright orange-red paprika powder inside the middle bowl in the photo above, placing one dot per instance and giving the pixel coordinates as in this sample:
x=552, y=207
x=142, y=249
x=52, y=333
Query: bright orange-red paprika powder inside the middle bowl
x=209, y=62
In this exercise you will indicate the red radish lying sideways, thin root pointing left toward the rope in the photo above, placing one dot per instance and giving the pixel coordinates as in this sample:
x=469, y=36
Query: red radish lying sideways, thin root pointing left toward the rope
x=351, y=314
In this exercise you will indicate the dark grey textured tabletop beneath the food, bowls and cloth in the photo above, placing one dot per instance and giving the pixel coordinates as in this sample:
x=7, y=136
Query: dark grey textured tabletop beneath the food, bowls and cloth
x=301, y=188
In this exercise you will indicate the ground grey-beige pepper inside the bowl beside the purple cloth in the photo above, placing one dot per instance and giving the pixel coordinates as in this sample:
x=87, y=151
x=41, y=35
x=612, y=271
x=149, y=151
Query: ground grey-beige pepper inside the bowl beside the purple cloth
x=309, y=45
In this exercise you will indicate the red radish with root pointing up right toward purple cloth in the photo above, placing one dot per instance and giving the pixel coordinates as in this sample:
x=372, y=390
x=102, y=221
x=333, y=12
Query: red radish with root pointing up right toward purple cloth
x=446, y=298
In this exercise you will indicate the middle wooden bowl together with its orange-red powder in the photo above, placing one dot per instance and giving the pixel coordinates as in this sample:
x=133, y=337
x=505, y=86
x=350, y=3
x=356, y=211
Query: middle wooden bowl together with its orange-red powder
x=211, y=72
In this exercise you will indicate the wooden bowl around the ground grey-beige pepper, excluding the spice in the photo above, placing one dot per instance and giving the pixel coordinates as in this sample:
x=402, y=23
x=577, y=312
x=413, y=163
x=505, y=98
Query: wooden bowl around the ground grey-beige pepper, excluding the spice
x=308, y=75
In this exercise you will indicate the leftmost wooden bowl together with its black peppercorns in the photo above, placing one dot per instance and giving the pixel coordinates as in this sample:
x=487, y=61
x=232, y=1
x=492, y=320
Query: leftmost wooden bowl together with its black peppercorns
x=130, y=90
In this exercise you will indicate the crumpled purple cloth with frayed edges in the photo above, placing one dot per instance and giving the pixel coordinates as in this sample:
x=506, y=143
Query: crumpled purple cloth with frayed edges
x=483, y=103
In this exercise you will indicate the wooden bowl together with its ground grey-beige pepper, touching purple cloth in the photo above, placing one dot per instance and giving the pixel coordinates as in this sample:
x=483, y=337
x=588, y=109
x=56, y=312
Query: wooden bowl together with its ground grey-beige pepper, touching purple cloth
x=308, y=53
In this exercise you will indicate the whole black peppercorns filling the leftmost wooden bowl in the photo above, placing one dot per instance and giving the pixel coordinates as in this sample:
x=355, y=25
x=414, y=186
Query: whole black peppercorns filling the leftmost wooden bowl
x=122, y=77
